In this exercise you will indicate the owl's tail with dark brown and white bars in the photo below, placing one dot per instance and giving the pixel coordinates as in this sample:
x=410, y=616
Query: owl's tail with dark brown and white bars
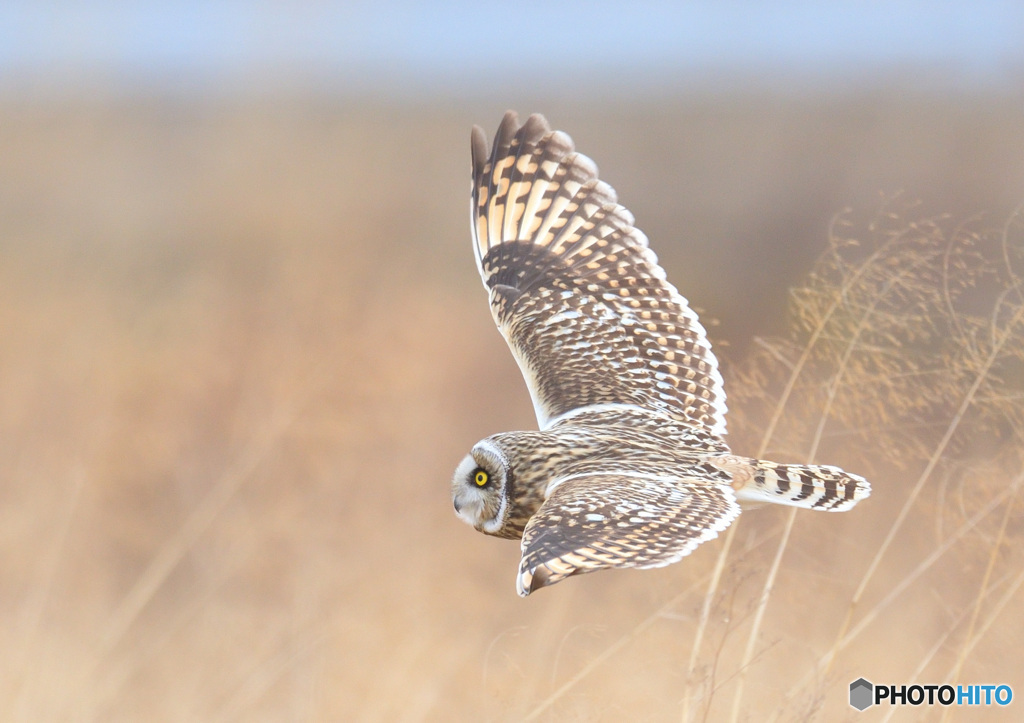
x=813, y=487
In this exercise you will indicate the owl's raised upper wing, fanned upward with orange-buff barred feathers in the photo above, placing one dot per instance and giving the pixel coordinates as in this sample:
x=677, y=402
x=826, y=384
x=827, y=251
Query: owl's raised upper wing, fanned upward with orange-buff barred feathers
x=575, y=289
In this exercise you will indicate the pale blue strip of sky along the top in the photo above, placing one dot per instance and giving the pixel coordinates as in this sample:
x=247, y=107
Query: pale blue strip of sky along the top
x=467, y=46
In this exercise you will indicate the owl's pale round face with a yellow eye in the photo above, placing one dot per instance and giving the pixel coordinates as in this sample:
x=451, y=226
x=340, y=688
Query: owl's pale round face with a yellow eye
x=481, y=488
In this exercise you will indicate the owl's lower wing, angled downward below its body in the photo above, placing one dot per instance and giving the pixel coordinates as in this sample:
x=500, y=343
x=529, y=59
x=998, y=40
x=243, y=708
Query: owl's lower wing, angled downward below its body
x=620, y=520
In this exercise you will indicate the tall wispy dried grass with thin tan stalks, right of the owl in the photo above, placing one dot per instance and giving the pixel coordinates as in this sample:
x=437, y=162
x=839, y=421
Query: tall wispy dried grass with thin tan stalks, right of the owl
x=905, y=360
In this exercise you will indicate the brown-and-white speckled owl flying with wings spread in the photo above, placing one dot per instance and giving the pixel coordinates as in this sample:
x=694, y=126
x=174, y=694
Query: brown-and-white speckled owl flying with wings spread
x=630, y=467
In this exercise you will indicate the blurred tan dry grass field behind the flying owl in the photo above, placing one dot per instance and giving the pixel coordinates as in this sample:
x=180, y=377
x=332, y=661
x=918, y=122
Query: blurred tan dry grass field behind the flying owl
x=243, y=346
